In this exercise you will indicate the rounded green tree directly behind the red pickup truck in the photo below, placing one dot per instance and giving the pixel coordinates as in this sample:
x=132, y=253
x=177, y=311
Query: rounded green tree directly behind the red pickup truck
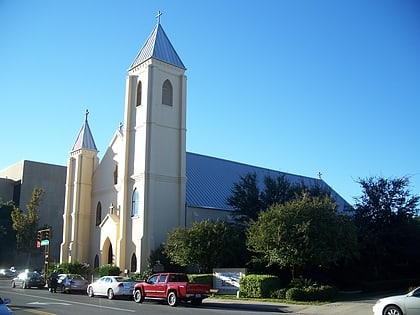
x=208, y=244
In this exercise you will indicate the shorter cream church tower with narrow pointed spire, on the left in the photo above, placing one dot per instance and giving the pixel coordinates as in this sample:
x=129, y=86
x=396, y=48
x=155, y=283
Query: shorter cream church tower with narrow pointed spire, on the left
x=77, y=205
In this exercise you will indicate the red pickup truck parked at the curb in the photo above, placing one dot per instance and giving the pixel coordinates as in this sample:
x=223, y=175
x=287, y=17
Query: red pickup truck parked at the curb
x=172, y=287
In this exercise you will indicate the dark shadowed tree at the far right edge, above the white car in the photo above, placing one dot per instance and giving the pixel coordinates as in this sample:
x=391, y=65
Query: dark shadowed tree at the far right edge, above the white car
x=386, y=217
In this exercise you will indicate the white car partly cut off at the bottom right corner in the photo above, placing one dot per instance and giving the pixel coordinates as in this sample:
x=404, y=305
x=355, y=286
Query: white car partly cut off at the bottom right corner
x=407, y=304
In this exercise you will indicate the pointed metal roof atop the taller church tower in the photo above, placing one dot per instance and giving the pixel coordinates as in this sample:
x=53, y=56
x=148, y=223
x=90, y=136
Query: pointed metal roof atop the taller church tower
x=159, y=47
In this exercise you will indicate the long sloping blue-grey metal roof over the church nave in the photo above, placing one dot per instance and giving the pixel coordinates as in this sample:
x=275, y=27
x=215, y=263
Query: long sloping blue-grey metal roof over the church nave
x=210, y=181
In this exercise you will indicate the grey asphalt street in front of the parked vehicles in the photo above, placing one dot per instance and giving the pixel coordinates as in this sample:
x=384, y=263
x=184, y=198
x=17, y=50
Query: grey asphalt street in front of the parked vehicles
x=42, y=302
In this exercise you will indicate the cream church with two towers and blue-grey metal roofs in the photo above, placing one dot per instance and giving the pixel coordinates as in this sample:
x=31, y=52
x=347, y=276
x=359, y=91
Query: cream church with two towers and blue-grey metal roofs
x=119, y=208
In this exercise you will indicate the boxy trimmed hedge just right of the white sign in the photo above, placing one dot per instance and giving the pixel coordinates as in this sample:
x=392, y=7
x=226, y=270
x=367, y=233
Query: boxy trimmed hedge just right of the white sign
x=258, y=286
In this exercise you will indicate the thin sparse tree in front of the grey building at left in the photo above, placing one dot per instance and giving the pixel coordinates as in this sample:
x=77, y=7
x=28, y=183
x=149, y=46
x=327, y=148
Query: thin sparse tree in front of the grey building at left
x=26, y=224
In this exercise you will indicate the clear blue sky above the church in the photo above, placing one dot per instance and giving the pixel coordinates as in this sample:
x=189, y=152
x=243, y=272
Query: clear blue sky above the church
x=330, y=86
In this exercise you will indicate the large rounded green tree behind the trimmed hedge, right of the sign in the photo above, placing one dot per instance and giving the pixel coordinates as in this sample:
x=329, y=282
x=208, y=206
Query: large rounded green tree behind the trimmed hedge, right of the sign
x=307, y=231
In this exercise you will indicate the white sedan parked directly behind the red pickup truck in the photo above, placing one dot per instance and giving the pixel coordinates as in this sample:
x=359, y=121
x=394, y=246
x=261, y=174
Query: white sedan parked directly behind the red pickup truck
x=111, y=286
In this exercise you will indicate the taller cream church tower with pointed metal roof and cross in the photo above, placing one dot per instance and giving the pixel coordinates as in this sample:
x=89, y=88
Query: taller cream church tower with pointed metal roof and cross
x=155, y=145
